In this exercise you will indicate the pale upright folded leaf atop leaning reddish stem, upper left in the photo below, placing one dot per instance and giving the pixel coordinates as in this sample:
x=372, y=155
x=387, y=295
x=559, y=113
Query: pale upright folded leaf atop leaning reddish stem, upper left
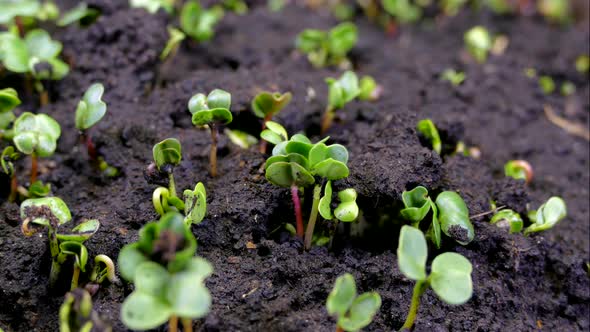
x=91, y=108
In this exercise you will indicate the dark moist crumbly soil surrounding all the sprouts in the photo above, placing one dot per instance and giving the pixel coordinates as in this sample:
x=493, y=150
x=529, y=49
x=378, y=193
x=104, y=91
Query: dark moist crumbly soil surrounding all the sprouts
x=263, y=280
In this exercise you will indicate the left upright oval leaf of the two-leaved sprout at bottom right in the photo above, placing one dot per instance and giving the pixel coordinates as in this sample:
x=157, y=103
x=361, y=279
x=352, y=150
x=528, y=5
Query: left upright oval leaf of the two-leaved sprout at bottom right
x=412, y=253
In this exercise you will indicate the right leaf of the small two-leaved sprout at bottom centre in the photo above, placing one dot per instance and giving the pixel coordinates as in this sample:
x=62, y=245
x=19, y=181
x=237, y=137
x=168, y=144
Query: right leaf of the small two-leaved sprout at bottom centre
x=363, y=310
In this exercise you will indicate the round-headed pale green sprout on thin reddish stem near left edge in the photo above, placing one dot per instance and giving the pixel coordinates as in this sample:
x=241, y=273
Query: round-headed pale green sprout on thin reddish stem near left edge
x=36, y=135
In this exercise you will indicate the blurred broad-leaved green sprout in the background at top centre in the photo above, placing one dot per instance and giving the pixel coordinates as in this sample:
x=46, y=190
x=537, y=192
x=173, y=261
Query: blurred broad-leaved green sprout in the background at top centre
x=326, y=48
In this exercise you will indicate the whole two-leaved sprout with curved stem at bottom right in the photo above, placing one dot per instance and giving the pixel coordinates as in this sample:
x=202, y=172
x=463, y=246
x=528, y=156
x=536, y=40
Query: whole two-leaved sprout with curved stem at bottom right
x=450, y=273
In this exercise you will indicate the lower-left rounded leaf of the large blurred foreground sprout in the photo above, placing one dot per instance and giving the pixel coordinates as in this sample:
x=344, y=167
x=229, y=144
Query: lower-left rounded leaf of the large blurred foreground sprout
x=141, y=311
